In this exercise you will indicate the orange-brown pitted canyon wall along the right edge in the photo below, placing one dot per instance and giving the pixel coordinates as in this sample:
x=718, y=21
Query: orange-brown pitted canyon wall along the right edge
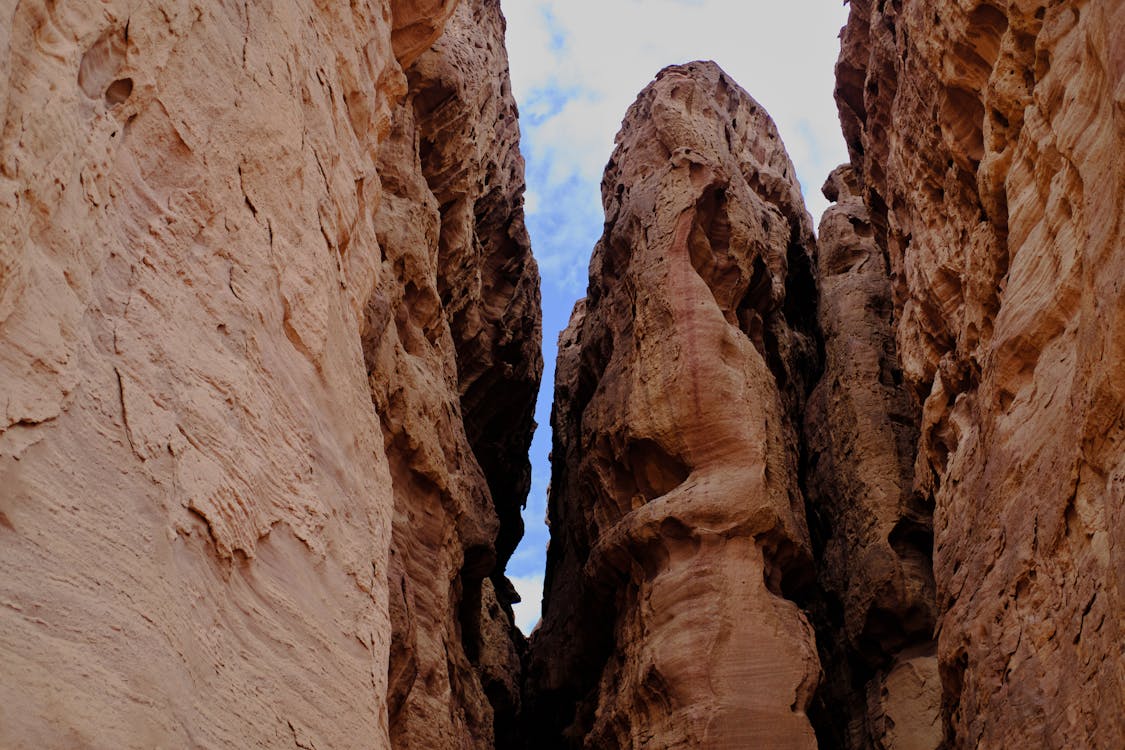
x=988, y=140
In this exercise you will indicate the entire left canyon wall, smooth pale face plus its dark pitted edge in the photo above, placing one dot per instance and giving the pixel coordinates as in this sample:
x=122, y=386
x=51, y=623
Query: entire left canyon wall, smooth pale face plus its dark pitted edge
x=249, y=319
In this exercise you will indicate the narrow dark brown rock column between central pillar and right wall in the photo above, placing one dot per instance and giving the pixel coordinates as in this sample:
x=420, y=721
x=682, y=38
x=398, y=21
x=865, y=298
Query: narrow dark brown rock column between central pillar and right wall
x=878, y=601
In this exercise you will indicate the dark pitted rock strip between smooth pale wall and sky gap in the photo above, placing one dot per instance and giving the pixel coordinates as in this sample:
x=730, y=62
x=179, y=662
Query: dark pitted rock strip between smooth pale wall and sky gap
x=453, y=344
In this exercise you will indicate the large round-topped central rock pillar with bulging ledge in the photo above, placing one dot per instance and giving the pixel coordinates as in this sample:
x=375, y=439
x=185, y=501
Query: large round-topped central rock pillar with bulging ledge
x=678, y=526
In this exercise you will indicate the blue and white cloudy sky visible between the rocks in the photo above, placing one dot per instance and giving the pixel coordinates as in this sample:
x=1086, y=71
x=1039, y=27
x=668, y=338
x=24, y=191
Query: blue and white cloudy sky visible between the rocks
x=577, y=67
